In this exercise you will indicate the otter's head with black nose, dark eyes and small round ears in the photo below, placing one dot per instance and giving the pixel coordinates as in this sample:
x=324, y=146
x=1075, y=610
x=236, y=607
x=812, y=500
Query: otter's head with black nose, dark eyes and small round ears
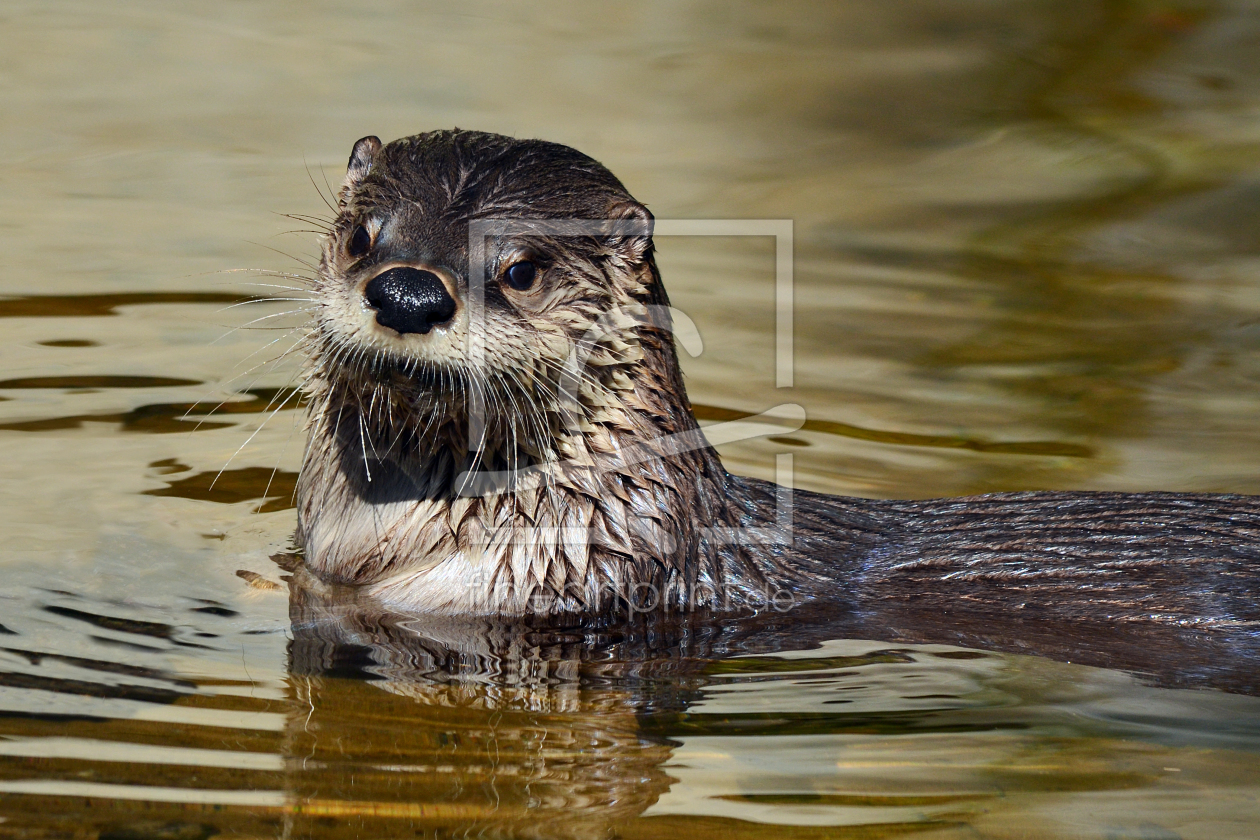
x=395, y=288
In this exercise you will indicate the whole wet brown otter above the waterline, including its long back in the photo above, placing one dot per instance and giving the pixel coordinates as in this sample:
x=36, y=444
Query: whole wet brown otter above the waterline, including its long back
x=498, y=426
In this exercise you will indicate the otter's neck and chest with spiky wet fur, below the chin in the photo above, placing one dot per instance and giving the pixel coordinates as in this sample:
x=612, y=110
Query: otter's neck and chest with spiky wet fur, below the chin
x=619, y=511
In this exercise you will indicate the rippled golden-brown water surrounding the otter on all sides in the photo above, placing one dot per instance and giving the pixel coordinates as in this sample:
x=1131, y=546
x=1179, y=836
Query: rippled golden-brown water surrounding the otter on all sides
x=1026, y=258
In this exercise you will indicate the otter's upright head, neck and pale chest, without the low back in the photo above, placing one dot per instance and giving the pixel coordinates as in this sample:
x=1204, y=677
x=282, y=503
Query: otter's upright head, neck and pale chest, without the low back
x=597, y=516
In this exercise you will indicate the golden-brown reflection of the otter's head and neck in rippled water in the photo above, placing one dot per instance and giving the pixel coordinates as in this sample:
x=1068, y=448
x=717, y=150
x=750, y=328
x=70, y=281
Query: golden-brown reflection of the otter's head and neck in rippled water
x=469, y=730
